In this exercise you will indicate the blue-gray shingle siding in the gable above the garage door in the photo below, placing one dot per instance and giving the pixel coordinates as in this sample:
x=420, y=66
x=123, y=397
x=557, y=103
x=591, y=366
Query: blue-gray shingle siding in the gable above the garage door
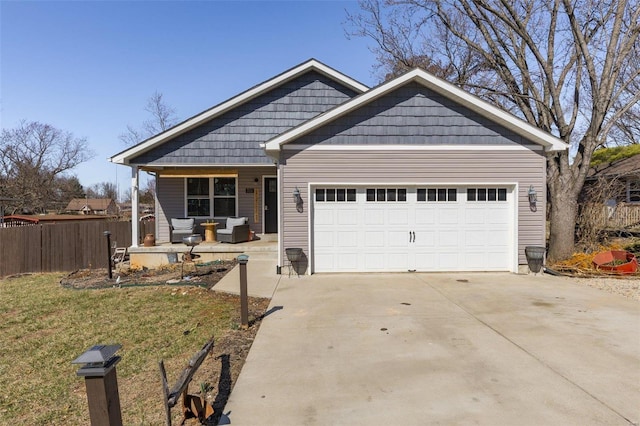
x=412, y=114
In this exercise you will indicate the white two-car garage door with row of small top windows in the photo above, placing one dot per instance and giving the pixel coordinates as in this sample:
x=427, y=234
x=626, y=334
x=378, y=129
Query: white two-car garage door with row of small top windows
x=358, y=229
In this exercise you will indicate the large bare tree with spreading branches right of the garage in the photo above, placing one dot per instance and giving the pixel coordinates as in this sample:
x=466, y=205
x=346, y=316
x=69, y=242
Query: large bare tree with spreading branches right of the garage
x=567, y=67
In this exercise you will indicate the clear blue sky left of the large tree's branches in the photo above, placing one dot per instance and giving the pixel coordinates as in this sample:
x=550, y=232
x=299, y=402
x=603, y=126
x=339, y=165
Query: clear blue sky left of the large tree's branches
x=89, y=67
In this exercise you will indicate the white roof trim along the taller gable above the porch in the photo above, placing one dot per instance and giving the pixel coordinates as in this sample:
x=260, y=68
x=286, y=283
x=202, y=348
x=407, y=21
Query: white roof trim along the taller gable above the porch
x=312, y=64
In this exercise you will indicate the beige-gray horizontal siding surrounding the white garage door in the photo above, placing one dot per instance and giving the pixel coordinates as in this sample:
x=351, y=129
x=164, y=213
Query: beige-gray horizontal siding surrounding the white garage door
x=386, y=167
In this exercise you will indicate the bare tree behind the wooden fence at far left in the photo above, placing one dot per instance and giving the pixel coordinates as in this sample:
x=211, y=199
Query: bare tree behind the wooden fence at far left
x=33, y=156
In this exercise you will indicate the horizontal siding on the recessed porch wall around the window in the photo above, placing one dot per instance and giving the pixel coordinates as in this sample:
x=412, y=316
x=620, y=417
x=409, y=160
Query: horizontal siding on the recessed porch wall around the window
x=171, y=200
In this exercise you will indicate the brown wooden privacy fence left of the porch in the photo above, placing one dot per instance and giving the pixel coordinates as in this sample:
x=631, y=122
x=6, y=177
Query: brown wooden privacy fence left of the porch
x=59, y=247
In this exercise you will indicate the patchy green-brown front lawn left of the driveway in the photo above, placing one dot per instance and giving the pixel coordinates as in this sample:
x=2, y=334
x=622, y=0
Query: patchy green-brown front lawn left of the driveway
x=43, y=327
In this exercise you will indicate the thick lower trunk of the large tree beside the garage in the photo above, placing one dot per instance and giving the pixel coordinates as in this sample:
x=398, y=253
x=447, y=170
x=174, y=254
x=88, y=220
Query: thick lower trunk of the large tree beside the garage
x=563, y=216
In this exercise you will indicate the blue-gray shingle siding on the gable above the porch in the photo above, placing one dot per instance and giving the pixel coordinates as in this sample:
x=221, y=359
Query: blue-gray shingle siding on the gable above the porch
x=234, y=137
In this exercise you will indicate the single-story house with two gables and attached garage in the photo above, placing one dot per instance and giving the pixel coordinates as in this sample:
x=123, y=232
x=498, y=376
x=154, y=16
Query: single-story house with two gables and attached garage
x=414, y=174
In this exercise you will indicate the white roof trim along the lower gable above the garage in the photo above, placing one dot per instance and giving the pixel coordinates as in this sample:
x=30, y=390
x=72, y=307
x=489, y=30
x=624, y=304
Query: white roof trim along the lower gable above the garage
x=511, y=122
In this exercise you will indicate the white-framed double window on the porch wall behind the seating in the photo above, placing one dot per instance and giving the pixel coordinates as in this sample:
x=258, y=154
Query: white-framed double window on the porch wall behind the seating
x=208, y=197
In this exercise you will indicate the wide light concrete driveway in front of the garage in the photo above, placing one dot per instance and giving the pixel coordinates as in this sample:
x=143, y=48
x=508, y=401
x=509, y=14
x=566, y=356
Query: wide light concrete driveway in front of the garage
x=417, y=349
